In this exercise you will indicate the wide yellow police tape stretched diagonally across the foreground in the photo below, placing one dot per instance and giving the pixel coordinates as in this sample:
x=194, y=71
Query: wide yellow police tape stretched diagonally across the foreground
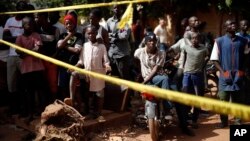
x=217, y=106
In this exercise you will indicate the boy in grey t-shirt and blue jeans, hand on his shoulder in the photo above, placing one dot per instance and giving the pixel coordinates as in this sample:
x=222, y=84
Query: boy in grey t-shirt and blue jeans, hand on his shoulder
x=193, y=70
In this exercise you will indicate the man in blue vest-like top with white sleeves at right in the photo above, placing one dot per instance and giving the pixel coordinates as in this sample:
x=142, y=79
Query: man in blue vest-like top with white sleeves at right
x=228, y=55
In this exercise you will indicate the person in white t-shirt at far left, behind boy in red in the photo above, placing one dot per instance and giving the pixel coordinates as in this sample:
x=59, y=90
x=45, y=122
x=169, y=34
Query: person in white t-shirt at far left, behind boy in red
x=13, y=28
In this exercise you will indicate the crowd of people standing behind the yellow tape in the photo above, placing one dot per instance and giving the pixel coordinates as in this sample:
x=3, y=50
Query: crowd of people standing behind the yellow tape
x=135, y=54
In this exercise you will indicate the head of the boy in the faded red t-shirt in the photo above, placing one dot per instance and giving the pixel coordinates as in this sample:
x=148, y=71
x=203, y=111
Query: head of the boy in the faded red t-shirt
x=28, y=25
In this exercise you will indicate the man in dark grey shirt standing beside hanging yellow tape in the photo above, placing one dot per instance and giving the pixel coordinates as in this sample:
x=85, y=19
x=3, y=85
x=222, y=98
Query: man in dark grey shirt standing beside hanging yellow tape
x=119, y=51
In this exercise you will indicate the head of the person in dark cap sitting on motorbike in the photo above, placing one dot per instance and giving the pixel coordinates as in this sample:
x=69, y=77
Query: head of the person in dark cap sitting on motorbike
x=150, y=40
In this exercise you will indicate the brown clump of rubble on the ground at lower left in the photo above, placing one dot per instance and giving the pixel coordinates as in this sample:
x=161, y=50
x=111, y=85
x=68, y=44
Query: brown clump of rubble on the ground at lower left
x=60, y=122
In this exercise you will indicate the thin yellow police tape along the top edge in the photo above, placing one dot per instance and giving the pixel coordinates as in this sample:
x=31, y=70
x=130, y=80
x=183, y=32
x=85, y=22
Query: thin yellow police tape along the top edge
x=78, y=7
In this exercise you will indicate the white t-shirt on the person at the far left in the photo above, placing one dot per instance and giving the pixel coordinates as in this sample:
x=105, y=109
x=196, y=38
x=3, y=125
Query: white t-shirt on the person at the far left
x=16, y=29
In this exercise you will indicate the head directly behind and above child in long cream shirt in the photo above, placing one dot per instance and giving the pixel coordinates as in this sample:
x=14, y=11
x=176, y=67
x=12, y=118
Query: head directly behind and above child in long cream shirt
x=95, y=16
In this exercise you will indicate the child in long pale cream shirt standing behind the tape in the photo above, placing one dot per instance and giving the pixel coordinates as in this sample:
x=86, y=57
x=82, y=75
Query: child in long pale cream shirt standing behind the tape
x=94, y=58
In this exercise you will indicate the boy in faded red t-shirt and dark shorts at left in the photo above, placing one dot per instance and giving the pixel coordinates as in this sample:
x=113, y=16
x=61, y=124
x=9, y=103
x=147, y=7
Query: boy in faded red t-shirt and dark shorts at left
x=31, y=67
